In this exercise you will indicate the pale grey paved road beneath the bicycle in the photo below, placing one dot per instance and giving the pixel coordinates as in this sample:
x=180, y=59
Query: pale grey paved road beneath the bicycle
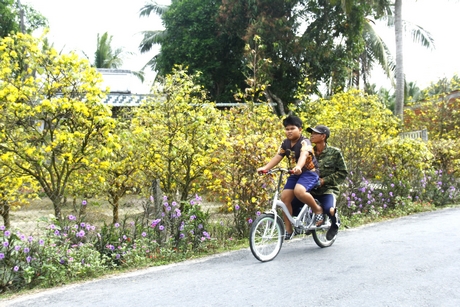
x=412, y=261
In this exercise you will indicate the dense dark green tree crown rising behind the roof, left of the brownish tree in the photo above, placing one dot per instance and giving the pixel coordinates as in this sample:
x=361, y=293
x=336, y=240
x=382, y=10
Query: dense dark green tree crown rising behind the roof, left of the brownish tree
x=192, y=39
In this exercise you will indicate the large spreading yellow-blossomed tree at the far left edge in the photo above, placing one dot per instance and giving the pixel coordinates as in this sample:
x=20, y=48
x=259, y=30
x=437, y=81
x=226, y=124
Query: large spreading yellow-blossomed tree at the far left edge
x=52, y=120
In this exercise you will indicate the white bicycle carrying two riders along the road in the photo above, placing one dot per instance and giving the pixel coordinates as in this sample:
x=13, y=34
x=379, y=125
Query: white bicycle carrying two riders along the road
x=268, y=230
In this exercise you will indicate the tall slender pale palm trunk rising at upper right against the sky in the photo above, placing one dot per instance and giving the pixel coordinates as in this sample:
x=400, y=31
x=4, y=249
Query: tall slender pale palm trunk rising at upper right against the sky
x=399, y=103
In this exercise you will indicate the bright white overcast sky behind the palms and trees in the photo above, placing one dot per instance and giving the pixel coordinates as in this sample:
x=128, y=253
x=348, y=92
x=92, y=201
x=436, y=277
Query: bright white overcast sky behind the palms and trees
x=74, y=25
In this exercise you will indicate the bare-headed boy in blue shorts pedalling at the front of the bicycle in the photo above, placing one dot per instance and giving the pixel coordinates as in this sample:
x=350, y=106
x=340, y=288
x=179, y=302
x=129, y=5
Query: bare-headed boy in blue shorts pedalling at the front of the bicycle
x=299, y=151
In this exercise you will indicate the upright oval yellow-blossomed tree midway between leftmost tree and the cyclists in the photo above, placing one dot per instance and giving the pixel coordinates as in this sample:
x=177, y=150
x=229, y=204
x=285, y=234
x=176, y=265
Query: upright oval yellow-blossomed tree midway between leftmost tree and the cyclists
x=177, y=132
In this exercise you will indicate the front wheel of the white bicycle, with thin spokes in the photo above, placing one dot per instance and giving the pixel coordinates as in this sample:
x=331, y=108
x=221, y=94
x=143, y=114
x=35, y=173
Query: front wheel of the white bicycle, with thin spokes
x=266, y=237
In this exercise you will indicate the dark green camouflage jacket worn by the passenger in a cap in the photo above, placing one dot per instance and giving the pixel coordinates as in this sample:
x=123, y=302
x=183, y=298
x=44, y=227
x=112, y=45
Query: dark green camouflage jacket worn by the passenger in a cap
x=332, y=169
